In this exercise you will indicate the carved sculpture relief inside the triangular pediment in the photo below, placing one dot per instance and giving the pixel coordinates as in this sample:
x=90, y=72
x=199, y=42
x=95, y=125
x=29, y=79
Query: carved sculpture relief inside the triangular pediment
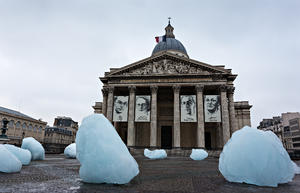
x=166, y=67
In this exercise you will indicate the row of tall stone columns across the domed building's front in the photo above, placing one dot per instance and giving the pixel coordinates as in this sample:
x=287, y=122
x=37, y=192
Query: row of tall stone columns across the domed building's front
x=228, y=124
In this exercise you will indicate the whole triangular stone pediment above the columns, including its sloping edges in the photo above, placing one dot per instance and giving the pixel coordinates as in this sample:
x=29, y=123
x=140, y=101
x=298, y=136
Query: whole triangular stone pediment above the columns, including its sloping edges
x=167, y=64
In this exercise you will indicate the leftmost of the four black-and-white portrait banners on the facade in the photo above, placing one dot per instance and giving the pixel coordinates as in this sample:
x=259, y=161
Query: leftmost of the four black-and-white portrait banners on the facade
x=120, y=108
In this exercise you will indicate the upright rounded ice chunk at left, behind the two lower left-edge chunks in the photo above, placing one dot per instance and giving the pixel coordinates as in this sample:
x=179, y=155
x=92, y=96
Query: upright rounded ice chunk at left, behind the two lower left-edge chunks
x=36, y=149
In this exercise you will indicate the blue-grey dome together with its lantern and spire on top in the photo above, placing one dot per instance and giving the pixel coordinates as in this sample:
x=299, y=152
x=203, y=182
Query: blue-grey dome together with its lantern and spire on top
x=170, y=44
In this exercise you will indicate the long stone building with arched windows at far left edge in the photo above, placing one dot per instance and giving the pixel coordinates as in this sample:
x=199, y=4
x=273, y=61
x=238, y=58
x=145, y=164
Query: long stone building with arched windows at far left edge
x=21, y=126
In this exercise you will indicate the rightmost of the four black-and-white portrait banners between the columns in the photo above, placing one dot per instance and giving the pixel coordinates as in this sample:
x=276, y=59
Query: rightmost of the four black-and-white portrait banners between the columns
x=212, y=108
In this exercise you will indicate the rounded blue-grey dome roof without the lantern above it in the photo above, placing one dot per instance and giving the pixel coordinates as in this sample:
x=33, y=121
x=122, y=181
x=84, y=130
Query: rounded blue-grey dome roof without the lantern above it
x=171, y=44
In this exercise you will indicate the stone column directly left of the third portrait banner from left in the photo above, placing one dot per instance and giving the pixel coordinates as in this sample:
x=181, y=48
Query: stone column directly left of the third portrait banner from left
x=176, y=133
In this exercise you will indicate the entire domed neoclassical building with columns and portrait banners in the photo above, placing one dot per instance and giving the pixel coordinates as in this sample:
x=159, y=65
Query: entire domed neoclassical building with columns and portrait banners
x=171, y=101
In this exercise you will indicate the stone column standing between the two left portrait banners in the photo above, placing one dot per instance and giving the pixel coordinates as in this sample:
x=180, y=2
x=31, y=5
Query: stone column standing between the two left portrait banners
x=131, y=128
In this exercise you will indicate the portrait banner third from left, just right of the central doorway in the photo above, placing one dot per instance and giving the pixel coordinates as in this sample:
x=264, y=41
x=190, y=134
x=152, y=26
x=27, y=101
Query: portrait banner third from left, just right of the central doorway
x=188, y=108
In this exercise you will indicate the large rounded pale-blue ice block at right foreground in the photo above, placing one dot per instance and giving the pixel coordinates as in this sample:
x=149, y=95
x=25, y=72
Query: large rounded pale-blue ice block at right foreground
x=256, y=157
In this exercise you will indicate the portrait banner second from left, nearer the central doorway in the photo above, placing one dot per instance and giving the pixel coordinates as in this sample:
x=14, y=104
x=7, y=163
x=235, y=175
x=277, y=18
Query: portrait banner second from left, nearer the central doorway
x=142, y=108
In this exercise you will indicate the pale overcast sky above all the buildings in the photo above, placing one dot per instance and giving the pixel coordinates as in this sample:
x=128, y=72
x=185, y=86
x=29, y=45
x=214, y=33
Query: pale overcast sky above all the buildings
x=52, y=52
